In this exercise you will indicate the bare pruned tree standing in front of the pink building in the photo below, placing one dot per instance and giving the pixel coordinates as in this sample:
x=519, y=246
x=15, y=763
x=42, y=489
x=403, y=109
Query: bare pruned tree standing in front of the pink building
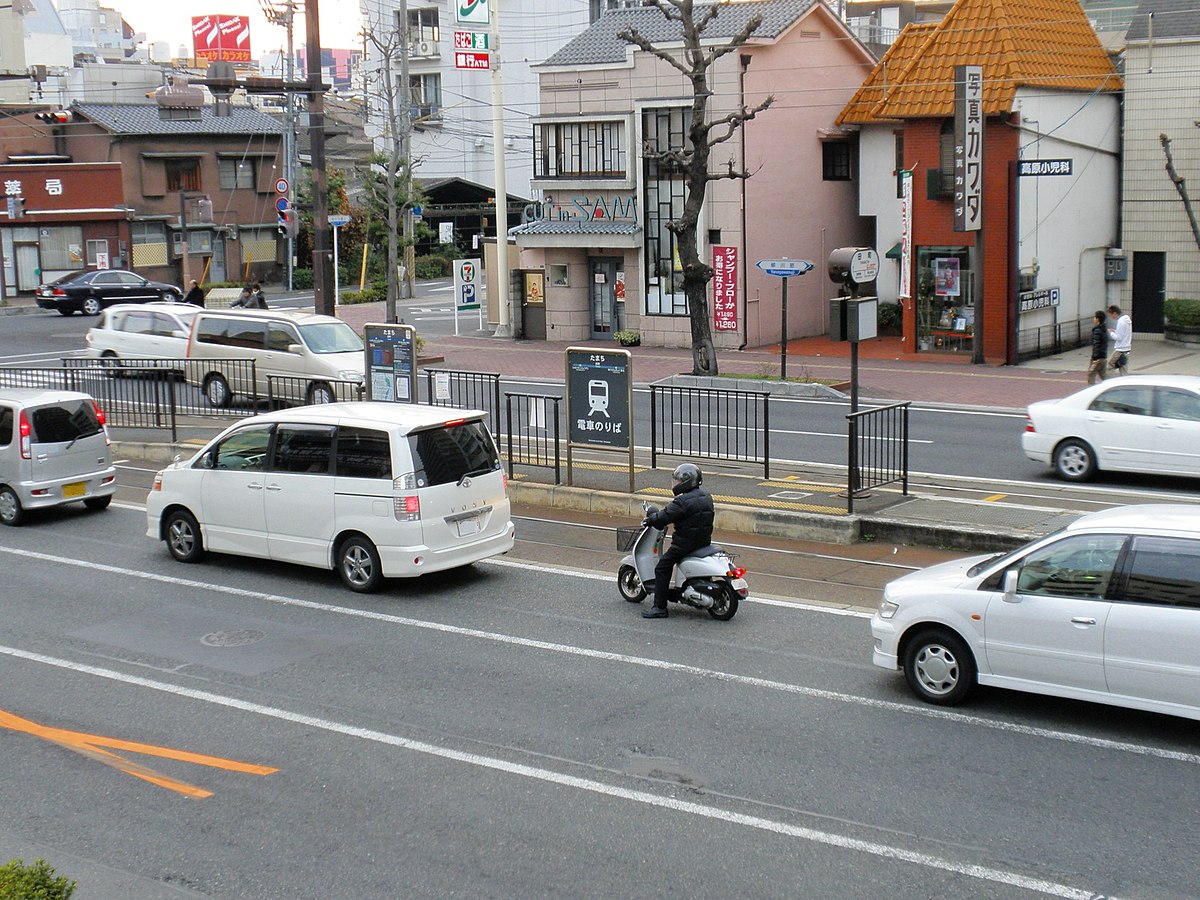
x=693, y=159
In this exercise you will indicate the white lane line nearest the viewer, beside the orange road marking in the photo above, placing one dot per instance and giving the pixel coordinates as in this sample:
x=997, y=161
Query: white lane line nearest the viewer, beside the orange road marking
x=831, y=839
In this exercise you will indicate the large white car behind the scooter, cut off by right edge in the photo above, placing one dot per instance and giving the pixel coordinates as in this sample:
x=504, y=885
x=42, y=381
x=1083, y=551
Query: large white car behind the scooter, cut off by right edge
x=1106, y=610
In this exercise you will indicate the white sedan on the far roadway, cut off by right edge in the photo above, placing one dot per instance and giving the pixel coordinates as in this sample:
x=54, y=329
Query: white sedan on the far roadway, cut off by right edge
x=1133, y=424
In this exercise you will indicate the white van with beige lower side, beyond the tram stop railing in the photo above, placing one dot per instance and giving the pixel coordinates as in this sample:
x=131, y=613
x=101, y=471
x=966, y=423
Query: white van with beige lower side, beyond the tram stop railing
x=297, y=356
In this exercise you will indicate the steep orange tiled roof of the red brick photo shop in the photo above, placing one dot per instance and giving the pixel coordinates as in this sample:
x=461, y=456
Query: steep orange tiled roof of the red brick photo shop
x=1045, y=44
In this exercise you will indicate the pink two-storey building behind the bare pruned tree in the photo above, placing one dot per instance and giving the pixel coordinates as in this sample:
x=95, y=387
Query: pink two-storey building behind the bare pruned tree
x=599, y=237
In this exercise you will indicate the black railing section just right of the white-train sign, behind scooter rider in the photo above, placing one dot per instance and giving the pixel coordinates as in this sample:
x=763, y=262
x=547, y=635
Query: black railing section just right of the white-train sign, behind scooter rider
x=711, y=423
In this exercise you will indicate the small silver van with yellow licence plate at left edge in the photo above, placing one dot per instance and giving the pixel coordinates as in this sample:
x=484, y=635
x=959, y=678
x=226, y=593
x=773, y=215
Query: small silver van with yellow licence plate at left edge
x=55, y=449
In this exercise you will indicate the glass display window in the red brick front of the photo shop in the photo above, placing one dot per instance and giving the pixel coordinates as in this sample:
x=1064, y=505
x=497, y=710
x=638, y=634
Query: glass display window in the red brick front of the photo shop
x=946, y=321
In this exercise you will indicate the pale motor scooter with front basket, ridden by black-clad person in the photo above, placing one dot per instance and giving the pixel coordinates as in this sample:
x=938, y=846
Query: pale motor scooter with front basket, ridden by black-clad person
x=705, y=579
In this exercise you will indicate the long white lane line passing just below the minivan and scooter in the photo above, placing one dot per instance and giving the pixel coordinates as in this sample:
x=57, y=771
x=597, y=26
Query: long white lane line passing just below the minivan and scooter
x=645, y=662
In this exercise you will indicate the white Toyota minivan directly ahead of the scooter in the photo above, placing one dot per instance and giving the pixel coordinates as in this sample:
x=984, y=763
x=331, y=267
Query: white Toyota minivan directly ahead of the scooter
x=371, y=490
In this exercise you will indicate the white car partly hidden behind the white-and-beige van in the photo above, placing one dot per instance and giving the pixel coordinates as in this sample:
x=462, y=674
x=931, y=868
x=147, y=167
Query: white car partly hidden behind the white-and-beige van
x=142, y=332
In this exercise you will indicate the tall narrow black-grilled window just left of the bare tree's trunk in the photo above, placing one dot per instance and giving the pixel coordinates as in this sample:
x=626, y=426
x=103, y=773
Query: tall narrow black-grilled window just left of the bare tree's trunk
x=664, y=130
